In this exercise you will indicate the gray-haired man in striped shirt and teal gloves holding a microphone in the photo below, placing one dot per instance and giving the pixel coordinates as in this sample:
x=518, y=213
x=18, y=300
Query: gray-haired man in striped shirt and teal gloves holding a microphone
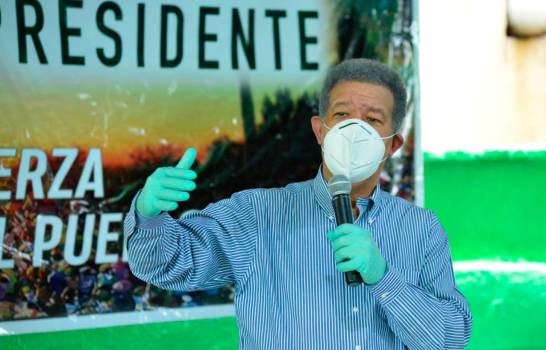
x=282, y=250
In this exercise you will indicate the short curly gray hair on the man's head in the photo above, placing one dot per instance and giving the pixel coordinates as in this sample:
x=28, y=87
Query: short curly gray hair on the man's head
x=366, y=71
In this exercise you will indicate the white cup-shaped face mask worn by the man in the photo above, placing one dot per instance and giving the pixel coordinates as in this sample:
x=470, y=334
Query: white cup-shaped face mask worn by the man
x=353, y=148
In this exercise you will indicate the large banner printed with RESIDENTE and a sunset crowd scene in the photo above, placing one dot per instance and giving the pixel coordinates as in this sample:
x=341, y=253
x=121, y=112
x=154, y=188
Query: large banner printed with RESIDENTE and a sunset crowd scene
x=95, y=95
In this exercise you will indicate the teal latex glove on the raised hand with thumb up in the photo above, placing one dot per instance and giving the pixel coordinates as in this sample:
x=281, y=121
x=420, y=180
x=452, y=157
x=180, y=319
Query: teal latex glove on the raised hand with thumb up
x=167, y=186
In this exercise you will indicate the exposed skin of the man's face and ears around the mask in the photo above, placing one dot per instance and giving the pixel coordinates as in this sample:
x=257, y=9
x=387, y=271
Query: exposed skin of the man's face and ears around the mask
x=371, y=103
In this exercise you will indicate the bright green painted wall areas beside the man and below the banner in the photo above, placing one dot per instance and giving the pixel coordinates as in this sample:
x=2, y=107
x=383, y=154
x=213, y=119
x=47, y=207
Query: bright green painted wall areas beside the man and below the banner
x=493, y=207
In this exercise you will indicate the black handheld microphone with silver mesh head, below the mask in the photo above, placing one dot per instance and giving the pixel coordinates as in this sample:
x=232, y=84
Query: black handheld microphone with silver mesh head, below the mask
x=340, y=189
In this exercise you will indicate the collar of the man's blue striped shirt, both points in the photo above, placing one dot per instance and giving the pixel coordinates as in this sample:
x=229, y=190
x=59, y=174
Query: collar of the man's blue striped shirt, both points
x=324, y=199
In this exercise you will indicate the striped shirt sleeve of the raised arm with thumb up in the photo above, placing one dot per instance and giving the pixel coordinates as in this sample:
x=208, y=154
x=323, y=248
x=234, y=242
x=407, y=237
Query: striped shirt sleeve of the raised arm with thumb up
x=205, y=249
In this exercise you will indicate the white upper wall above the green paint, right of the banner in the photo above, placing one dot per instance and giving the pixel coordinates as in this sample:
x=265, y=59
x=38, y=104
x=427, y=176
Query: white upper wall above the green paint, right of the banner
x=480, y=89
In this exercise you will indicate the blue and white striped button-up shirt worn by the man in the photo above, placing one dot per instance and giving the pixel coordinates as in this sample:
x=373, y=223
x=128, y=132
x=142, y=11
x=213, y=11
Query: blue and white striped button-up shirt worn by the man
x=272, y=244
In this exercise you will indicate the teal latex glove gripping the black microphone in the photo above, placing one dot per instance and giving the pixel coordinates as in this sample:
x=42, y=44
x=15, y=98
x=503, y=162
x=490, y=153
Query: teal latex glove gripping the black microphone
x=355, y=244
